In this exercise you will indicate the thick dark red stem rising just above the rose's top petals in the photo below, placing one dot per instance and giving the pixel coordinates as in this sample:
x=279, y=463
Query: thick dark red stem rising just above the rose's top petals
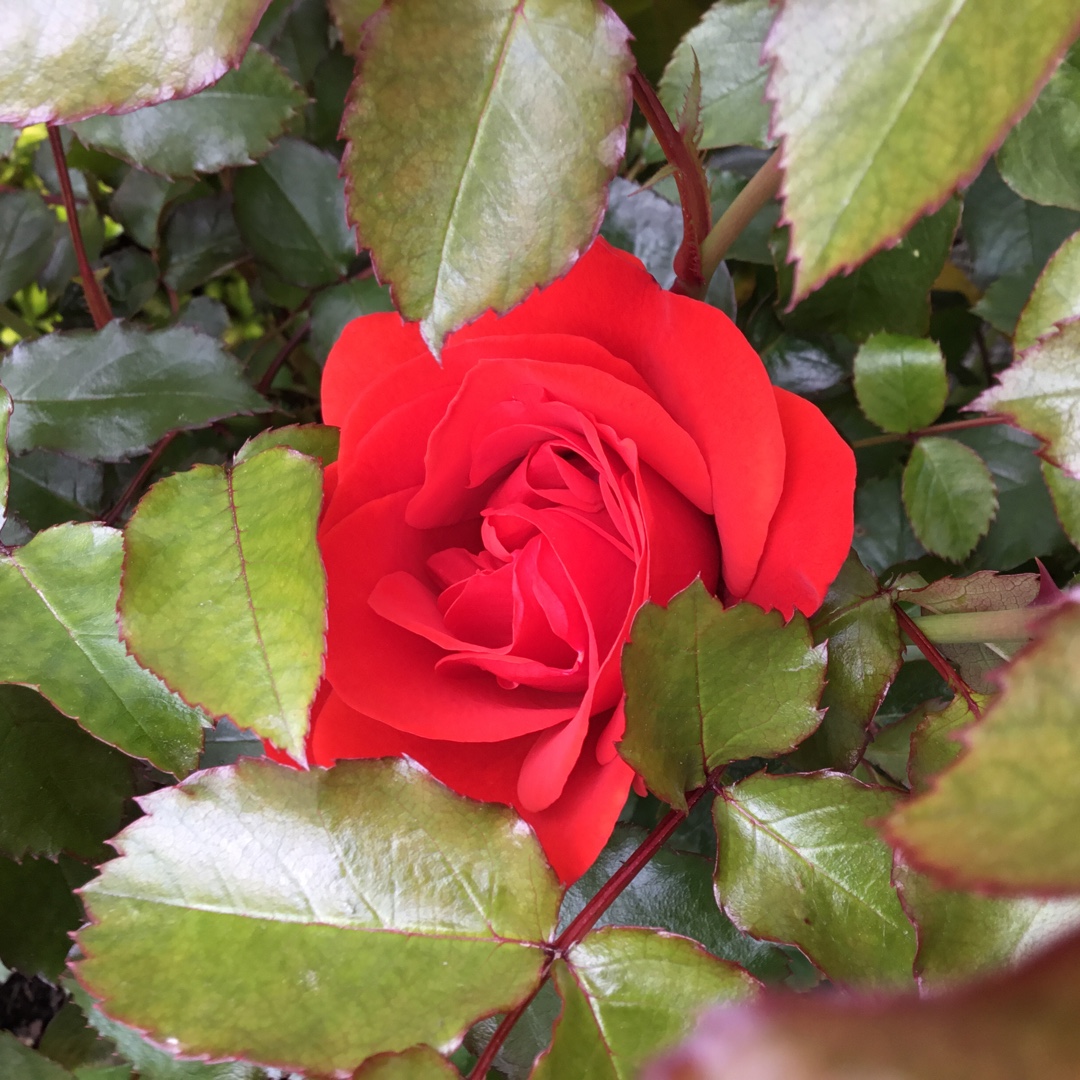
x=693, y=188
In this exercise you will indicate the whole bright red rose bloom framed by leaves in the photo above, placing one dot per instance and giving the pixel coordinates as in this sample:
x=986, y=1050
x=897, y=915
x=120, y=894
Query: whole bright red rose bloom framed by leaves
x=493, y=525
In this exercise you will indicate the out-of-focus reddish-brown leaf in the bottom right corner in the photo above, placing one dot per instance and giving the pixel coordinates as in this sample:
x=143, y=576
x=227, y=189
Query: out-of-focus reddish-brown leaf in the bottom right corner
x=1023, y=1025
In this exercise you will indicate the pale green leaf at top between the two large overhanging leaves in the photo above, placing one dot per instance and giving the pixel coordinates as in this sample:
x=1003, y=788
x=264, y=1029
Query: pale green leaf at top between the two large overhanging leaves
x=727, y=45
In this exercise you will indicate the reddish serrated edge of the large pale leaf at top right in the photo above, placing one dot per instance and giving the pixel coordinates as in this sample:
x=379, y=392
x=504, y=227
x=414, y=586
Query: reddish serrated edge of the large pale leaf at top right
x=776, y=138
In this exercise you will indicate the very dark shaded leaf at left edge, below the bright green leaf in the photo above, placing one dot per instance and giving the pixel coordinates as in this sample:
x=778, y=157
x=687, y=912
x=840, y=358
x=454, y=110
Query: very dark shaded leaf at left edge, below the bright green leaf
x=60, y=789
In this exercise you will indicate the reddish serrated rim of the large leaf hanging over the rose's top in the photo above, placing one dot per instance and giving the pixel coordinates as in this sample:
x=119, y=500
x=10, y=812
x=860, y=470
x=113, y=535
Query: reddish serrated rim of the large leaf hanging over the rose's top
x=372, y=28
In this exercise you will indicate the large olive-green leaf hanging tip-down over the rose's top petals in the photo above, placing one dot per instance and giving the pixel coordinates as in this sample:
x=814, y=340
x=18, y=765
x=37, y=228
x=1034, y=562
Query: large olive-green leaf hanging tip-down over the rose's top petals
x=522, y=126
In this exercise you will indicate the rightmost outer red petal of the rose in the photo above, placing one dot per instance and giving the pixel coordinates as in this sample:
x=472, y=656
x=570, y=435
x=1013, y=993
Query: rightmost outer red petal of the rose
x=811, y=534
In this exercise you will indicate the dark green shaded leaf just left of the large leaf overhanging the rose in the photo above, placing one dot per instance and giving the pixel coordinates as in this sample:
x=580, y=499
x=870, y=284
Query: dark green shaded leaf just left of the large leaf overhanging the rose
x=291, y=212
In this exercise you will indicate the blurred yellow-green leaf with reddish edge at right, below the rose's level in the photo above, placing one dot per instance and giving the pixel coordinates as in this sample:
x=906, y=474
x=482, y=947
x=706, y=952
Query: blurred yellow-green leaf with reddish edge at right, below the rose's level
x=997, y=819
